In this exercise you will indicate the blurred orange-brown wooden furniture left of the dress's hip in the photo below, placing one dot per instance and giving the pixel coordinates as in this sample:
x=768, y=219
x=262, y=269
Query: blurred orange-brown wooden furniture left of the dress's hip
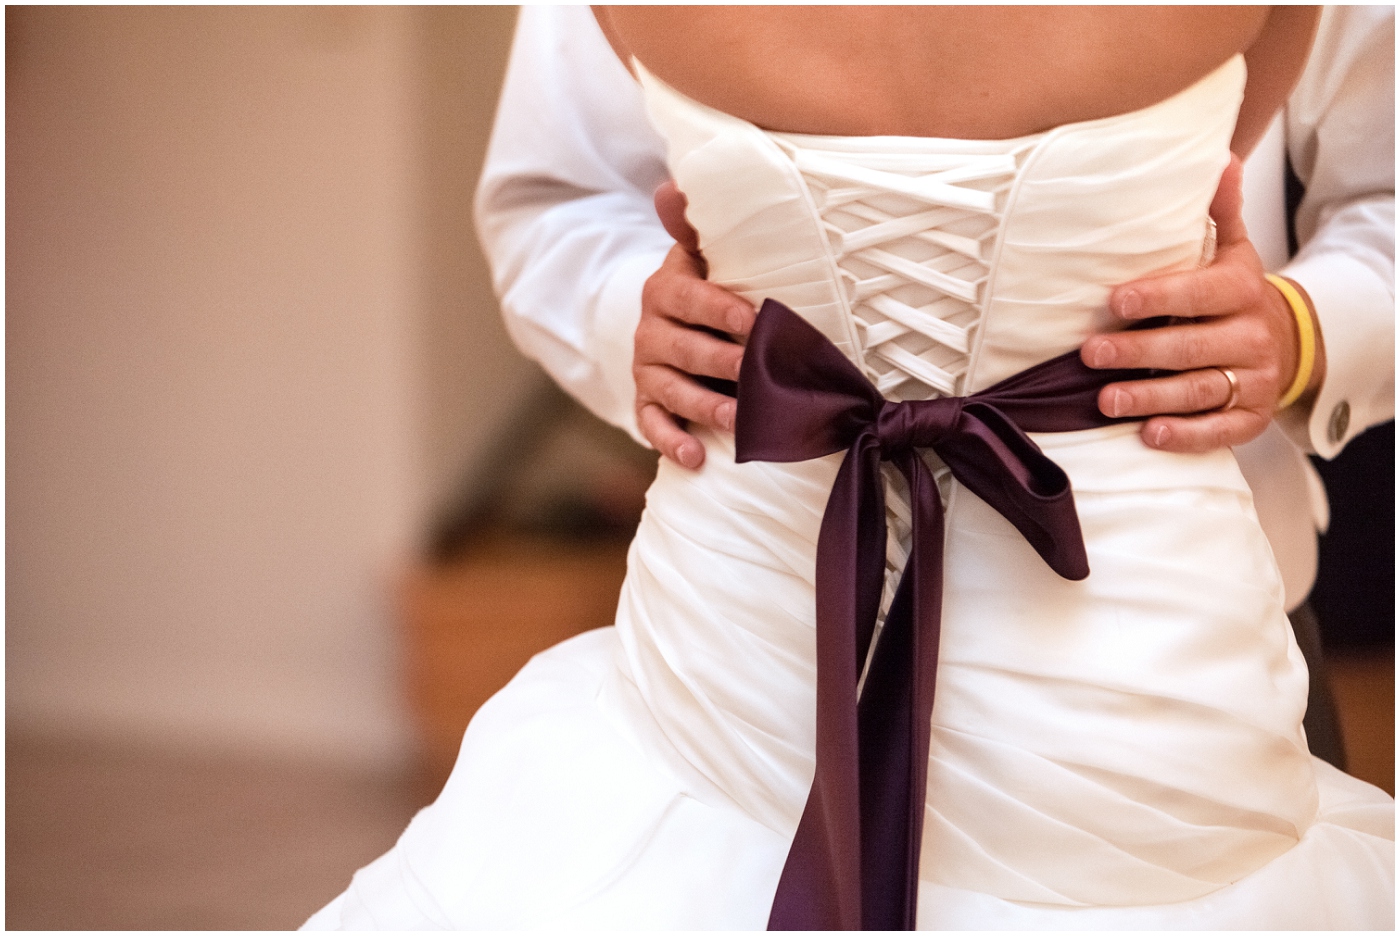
x=471, y=625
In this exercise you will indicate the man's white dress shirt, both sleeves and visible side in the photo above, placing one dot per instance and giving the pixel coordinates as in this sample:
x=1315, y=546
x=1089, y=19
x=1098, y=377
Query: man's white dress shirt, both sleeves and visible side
x=566, y=218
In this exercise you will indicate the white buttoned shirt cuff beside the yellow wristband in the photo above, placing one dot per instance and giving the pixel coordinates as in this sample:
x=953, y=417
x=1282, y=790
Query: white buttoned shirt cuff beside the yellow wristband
x=1357, y=317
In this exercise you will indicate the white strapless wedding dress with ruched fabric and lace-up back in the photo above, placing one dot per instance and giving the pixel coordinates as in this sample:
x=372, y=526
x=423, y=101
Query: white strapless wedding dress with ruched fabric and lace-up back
x=1118, y=753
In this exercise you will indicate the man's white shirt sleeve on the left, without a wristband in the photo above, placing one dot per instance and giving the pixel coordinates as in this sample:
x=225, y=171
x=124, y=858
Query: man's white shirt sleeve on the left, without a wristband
x=565, y=209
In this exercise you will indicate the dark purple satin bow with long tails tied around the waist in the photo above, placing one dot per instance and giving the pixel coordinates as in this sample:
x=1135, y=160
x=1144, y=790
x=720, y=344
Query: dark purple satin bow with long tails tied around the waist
x=855, y=861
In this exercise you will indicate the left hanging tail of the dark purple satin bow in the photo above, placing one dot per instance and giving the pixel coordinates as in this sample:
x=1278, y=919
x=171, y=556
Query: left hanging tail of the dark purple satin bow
x=821, y=884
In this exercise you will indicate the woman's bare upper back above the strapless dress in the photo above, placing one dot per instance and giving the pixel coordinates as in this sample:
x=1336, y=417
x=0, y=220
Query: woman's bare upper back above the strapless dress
x=958, y=72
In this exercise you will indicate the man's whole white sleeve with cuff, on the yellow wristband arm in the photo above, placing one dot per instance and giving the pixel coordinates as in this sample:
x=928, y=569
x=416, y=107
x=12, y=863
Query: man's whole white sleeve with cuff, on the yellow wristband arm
x=1340, y=129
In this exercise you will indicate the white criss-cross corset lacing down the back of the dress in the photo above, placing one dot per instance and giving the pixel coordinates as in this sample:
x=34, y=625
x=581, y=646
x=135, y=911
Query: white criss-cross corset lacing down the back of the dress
x=912, y=237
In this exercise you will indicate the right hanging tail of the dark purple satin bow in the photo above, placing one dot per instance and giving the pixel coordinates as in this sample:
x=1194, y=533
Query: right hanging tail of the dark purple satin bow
x=895, y=714
